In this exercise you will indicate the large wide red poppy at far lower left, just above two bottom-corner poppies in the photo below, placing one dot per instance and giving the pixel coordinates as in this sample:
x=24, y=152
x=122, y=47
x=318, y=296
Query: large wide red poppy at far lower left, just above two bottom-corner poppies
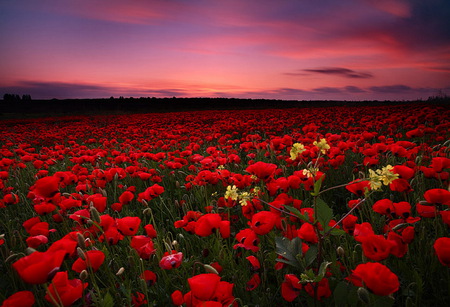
x=39, y=267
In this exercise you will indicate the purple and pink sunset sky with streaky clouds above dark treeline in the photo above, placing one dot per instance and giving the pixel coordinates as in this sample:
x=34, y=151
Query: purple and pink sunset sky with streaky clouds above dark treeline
x=284, y=49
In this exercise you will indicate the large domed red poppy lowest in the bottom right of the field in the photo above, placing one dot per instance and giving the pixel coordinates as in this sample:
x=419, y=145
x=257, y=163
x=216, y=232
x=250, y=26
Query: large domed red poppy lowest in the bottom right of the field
x=376, y=277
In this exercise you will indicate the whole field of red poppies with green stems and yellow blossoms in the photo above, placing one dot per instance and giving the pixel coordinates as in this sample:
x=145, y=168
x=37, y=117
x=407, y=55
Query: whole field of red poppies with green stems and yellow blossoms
x=337, y=206
